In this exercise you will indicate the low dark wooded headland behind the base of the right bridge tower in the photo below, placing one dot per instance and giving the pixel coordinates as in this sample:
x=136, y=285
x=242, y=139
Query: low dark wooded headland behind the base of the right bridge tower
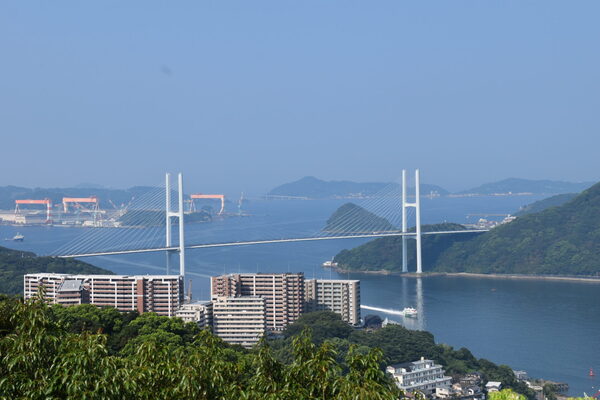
x=385, y=254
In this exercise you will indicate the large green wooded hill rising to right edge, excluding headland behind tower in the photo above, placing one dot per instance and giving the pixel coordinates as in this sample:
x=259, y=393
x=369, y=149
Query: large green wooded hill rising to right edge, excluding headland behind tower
x=562, y=240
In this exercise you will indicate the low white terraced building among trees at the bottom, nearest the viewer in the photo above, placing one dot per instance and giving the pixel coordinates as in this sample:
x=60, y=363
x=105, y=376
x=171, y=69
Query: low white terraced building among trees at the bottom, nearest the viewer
x=424, y=376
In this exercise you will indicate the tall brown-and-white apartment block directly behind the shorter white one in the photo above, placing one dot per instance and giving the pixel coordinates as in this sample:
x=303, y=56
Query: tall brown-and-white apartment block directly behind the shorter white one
x=283, y=294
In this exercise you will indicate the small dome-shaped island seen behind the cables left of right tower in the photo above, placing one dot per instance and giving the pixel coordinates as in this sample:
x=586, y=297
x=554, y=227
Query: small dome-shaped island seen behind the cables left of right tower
x=352, y=218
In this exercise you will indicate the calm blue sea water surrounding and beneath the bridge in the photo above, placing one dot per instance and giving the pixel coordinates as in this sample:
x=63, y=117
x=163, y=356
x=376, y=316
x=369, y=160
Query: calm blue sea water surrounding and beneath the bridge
x=550, y=329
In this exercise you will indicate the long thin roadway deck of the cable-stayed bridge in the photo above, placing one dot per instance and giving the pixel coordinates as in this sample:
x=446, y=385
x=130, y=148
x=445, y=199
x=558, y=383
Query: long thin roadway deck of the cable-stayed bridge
x=254, y=242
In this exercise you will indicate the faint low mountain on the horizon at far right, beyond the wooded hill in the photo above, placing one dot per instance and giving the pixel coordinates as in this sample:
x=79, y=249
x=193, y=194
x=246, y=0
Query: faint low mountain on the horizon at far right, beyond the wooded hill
x=515, y=185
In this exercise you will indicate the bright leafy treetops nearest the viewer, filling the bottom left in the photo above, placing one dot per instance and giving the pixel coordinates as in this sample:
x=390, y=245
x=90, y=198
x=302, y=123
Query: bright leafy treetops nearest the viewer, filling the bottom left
x=41, y=359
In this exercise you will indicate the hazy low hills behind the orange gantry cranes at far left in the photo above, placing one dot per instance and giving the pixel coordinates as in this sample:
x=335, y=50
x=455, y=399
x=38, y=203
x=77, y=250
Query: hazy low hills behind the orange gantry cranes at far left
x=8, y=194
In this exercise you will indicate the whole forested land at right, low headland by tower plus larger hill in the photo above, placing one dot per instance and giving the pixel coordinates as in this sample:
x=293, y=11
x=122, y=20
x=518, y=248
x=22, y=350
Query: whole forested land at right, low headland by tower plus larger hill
x=560, y=240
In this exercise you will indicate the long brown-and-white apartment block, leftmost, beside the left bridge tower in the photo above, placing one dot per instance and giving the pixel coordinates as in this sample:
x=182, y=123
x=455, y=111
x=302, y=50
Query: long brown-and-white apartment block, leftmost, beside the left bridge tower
x=162, y=294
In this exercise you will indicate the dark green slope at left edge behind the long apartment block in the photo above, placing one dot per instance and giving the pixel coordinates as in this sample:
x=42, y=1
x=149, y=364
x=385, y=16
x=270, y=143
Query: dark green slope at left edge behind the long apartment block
x=14, y=264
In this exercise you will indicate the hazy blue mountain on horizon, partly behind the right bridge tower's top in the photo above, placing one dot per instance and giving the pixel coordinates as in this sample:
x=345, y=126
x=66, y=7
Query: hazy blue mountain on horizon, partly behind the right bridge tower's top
x=315, y=188
